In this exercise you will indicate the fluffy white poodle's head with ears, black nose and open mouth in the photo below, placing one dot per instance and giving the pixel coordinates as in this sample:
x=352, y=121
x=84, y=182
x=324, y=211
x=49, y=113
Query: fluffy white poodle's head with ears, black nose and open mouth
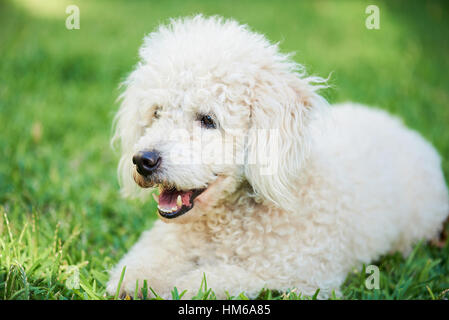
x=211, y=106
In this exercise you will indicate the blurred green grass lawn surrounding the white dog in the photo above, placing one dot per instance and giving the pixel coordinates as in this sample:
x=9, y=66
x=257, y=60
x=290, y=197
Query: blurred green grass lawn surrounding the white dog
x=59, y=201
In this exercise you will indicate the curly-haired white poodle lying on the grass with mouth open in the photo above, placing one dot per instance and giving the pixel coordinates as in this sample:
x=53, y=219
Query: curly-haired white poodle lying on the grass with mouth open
x=261, y=183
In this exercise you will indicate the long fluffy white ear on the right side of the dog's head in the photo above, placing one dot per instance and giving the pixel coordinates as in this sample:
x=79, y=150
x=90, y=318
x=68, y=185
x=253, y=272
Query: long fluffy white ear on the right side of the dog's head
x=279, y=137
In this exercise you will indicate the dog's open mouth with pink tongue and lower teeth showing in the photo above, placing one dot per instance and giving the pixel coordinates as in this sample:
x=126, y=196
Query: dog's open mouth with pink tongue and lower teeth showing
x=173, y=203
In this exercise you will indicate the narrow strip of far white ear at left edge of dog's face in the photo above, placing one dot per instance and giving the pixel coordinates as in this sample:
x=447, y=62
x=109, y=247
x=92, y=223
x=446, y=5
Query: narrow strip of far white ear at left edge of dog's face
x=127, y=130
